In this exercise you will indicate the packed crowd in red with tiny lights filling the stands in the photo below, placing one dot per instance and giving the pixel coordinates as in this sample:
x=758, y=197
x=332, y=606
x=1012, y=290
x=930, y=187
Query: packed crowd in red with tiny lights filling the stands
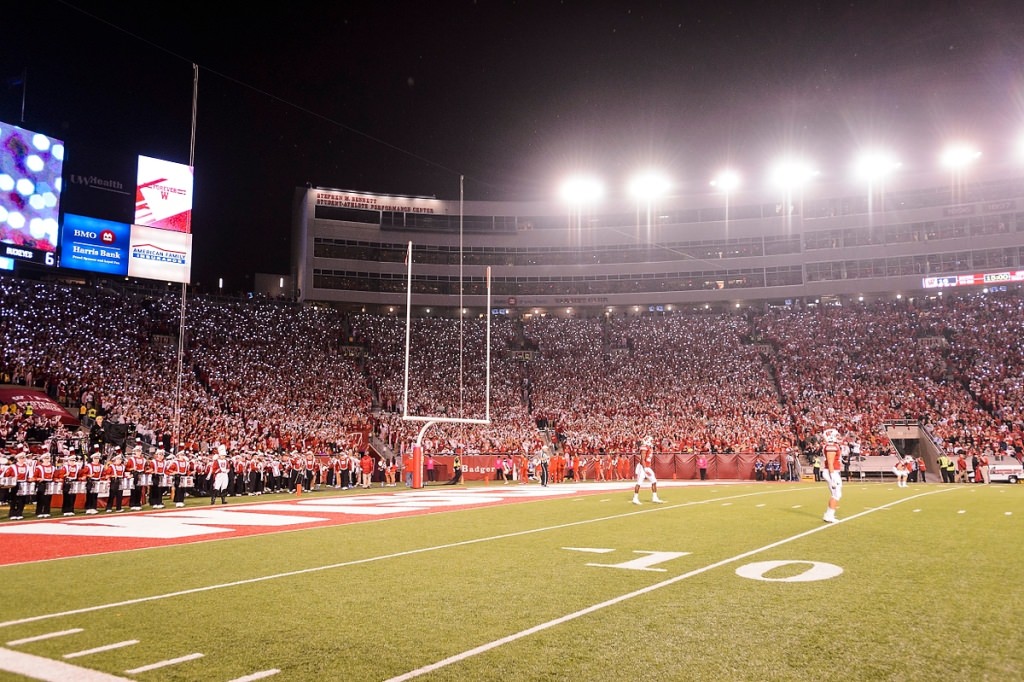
x=267, y=379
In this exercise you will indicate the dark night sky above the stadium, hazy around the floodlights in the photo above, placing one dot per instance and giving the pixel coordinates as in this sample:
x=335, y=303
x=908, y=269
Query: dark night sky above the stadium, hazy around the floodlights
x=405, y=98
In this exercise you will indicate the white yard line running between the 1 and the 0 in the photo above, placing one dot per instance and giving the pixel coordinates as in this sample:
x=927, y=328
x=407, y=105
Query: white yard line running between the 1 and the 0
x=615, y=601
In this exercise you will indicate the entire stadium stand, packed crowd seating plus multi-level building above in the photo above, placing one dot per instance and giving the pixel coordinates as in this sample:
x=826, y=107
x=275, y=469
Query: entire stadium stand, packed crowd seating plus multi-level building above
x=739, y=335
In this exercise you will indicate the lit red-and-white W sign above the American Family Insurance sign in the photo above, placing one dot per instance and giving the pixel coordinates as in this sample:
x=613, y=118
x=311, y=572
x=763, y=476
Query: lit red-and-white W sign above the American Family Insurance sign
x=164, y=195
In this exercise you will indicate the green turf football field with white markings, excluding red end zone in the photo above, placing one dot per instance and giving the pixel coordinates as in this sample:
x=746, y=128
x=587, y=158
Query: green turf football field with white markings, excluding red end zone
x=723, y=582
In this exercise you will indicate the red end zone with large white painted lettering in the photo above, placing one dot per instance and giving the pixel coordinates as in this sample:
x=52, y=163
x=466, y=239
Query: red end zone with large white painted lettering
x=82, y=536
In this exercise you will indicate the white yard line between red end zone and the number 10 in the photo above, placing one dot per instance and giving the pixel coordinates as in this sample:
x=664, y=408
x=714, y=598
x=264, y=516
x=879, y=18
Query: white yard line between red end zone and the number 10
x=383, y=558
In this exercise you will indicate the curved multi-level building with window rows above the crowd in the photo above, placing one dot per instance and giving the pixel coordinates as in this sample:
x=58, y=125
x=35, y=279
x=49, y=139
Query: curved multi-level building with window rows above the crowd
x=827, y=243
